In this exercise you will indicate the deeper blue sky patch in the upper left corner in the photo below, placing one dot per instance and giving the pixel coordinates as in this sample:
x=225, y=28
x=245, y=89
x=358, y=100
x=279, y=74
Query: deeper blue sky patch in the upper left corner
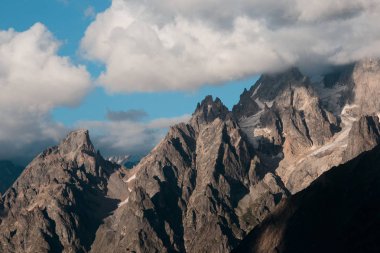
x=65, y=18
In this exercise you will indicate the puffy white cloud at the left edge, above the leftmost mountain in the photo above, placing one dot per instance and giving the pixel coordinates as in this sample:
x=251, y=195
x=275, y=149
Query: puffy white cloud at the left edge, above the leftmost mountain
x=33, y=80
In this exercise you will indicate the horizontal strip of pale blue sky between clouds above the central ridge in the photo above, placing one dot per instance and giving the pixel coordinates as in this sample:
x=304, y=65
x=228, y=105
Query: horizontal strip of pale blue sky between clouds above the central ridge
x=157, y=105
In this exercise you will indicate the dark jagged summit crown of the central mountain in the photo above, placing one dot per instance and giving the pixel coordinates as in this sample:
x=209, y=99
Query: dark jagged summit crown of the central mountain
x=208, y=110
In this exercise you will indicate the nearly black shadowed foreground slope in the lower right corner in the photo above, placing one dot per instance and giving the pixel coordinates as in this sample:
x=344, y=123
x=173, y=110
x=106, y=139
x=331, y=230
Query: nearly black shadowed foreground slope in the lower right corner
x=339, y=212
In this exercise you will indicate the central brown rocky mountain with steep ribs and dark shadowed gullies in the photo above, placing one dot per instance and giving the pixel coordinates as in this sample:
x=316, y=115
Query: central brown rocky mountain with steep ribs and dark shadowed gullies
x=188, y=188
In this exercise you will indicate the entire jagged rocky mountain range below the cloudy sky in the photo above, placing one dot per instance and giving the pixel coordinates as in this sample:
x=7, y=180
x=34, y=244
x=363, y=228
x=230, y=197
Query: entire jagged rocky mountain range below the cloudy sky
x=222, y=178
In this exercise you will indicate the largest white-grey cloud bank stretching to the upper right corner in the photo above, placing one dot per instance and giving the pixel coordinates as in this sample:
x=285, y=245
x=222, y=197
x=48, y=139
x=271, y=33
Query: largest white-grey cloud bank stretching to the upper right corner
x=155, y=45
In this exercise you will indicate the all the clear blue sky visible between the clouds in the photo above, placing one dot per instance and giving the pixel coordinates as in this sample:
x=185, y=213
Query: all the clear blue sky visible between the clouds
x=66, y=19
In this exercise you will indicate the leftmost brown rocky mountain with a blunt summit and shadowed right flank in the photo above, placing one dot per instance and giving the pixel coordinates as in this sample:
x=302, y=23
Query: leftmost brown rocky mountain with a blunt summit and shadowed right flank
x=59, y=200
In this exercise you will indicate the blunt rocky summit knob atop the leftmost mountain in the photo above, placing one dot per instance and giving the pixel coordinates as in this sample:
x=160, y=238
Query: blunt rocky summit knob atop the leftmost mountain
x=77, y=141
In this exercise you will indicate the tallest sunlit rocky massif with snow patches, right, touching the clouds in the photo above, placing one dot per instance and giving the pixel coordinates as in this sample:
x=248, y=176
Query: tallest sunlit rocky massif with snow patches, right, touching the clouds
x=306, y=121
